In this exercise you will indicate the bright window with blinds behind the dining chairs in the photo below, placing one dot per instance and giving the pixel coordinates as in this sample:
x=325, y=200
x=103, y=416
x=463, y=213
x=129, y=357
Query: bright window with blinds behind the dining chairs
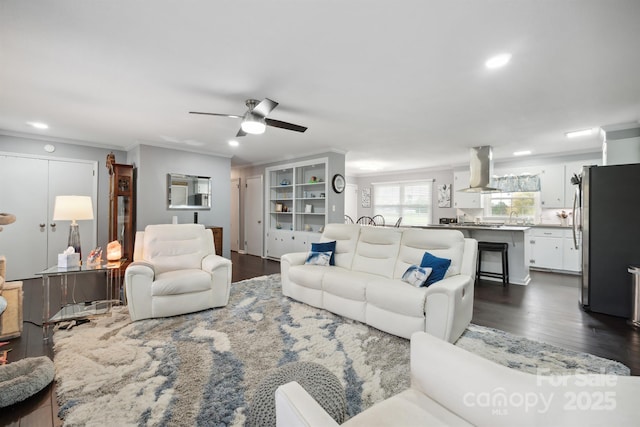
x=411, y=200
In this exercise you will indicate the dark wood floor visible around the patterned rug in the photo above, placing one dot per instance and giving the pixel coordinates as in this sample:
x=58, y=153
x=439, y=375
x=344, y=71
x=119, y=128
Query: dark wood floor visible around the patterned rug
x=546, y=310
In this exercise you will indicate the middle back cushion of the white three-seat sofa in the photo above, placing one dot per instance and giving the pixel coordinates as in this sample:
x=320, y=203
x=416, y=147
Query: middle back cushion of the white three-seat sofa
x=377, y=251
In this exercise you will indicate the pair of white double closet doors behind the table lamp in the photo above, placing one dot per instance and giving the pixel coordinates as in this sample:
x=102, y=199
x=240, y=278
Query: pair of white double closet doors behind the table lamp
x=33, y=242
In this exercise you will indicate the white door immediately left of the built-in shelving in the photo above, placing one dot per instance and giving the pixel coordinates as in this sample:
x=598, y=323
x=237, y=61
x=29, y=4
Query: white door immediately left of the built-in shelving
x=253, y=216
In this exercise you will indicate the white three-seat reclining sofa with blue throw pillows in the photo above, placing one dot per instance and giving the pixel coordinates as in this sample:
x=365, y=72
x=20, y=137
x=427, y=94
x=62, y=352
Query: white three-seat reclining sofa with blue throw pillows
x=365, y=282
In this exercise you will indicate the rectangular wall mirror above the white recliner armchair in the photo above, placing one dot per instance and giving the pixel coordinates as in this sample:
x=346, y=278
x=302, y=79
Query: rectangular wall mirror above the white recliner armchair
x=188, y=191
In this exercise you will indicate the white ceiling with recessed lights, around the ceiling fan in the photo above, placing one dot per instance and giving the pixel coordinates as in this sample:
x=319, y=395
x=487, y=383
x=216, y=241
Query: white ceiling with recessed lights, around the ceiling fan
x=400, y=83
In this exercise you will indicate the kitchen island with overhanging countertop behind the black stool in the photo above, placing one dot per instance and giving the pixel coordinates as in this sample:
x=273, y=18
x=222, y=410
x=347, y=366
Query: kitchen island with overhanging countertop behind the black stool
x=513, y=235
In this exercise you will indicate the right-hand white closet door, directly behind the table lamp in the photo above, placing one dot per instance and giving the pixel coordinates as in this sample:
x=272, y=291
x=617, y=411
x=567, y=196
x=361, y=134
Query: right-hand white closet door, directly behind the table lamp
x=69, y=178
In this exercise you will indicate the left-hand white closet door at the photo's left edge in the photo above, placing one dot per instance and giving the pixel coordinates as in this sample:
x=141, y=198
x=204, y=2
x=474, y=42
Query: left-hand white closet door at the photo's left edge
x=24, y=193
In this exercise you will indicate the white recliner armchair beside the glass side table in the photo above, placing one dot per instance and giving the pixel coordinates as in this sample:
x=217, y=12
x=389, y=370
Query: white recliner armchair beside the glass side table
x=175, y=270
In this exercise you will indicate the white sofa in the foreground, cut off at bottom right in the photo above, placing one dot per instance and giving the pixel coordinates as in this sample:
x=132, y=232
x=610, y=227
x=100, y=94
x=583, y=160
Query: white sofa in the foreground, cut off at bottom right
x=453, y=387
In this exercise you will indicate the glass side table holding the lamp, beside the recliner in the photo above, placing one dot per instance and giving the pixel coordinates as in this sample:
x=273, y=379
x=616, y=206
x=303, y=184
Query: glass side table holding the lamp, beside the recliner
x=78, y=310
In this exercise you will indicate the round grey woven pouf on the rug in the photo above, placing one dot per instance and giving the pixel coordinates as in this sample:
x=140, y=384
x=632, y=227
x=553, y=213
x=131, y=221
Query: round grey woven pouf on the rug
x=317, y=380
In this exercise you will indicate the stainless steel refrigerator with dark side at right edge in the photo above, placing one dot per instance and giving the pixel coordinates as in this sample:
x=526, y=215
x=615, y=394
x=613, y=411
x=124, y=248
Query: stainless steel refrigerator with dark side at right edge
x=607, y=218
